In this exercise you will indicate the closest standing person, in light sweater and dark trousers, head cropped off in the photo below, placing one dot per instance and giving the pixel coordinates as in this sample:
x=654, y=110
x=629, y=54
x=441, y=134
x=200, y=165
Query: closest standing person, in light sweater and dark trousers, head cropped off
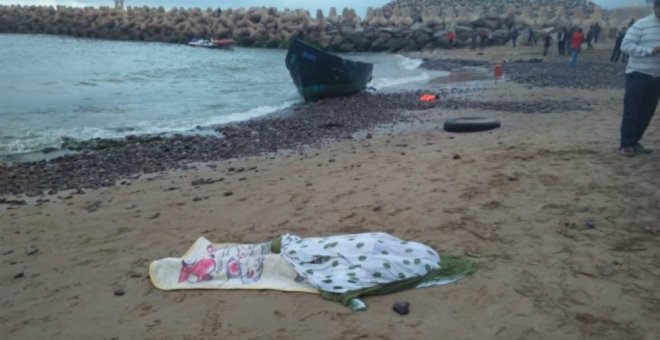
x=642, y=43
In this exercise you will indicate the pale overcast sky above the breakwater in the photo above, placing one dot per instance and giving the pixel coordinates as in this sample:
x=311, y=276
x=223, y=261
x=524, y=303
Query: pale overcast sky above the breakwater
x=360, y=6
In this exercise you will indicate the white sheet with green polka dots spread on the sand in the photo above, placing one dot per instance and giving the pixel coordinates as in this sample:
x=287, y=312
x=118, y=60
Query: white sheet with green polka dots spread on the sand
x=349, y=262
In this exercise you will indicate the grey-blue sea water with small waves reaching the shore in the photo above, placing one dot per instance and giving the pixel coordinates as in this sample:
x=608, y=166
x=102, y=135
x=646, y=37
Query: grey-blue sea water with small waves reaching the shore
x=54, y=87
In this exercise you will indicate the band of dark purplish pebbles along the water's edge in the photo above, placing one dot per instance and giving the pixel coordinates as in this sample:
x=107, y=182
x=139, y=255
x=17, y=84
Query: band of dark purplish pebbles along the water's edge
x=302, y=124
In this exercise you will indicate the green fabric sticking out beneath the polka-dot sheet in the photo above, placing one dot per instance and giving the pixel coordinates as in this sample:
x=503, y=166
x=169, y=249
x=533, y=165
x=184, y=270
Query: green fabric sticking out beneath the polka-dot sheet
x=453, y=267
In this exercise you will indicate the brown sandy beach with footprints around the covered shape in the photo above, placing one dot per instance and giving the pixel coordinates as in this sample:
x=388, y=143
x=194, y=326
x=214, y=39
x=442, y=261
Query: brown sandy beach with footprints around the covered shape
x=564, y=231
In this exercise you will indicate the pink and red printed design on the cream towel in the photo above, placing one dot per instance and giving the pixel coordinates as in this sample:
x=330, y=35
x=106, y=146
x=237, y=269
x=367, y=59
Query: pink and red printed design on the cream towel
x=244, y=262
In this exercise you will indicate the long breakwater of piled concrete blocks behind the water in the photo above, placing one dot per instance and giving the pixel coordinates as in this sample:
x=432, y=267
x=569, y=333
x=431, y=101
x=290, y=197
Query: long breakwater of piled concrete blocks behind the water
x=409, y=25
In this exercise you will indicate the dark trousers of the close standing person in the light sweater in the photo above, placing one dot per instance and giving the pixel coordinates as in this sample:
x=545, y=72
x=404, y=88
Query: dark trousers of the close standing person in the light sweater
x=639, y=104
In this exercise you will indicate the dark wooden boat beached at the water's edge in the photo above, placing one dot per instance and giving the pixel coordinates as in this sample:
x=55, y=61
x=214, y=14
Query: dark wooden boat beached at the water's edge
x=318, y=74
